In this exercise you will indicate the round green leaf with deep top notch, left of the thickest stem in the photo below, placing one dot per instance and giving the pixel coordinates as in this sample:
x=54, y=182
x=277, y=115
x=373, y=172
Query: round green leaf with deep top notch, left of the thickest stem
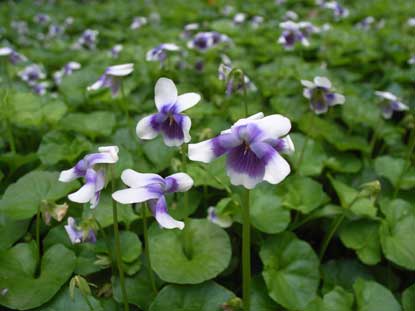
x=210, y=252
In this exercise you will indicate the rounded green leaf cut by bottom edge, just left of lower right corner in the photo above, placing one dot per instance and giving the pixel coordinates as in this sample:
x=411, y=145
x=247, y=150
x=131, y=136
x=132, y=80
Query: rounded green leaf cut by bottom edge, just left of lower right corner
x=371, y=296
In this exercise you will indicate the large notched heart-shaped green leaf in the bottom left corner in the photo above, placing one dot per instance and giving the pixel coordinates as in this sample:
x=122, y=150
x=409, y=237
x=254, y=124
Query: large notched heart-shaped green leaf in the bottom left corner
x=25, y=291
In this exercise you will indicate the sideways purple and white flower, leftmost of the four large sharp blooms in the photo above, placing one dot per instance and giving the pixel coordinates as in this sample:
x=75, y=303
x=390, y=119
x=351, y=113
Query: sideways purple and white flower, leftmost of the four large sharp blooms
x=94, y=178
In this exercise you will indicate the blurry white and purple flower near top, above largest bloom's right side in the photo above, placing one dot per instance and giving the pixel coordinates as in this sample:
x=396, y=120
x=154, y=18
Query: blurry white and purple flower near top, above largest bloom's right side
x=296, y=32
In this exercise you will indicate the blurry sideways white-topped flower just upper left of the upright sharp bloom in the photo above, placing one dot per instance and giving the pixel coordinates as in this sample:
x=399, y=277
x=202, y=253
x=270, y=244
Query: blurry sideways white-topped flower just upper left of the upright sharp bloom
x=112, y=78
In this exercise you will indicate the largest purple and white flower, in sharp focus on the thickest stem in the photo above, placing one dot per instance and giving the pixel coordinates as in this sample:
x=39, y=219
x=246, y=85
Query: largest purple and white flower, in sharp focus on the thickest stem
x=253, y=147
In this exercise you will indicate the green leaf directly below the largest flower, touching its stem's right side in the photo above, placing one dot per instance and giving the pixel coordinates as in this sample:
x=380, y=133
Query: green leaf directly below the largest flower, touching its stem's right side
x=267, y=212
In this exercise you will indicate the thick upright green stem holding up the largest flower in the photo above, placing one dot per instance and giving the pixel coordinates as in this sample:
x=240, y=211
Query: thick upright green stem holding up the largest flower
x=246, y=254
